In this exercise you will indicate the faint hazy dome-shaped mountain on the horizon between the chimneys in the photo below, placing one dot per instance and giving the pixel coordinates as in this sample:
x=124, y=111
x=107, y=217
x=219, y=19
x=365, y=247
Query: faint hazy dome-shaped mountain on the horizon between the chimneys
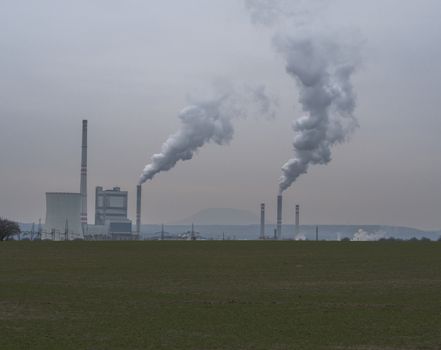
x=220, y=216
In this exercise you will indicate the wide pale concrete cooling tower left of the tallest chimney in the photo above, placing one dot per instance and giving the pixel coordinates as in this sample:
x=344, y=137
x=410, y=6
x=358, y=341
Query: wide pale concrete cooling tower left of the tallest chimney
x=62, y=209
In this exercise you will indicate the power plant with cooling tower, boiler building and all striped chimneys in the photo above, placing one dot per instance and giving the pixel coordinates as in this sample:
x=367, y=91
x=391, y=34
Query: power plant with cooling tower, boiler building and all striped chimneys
x=67, y=219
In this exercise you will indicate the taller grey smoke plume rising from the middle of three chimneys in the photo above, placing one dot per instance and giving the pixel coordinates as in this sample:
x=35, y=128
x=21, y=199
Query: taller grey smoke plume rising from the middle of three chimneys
x=322, y=65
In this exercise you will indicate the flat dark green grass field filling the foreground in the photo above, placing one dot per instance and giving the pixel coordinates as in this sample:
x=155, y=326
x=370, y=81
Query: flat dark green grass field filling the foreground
x=220, y=295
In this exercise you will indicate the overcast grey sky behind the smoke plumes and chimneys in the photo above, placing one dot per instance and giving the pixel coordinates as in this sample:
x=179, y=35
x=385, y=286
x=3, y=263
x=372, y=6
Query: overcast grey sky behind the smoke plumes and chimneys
x=129, y=67
